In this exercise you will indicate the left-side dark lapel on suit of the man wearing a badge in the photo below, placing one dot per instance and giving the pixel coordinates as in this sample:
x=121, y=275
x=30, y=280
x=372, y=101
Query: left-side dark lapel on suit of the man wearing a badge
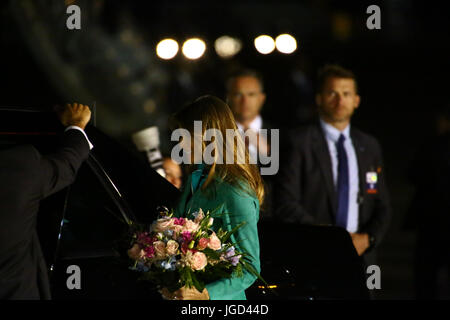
x=322, y=154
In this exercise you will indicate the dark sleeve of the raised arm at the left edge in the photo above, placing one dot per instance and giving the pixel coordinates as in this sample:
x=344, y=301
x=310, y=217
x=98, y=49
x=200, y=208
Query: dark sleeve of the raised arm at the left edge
x=58, y=170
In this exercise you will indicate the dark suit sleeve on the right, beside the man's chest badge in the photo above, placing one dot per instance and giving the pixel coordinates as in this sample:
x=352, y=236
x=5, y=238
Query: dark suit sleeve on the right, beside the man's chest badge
x=381, y=217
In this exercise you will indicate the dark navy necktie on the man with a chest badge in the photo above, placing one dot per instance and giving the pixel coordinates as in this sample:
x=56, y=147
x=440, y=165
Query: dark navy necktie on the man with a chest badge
x=342, y=184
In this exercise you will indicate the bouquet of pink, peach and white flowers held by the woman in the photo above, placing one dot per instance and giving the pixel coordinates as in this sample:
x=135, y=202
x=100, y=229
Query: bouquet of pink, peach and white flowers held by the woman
x=176, y=252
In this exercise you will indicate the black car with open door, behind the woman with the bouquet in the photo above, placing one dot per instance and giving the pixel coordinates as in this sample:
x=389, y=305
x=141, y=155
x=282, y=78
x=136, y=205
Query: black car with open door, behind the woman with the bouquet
x=84, y=225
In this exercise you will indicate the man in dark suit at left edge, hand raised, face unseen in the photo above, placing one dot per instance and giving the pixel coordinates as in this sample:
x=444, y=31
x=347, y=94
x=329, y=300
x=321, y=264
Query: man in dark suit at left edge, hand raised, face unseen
x=27, y=177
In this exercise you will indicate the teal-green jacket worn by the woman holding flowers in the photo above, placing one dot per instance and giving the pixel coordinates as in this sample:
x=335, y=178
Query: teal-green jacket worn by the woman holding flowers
x=236, y=206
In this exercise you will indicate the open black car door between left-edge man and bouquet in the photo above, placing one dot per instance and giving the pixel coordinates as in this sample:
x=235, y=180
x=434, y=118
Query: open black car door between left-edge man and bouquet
x=114, y=187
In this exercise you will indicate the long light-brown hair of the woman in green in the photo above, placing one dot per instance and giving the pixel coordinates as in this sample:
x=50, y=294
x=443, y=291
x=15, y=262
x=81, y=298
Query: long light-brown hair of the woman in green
x=215, y=114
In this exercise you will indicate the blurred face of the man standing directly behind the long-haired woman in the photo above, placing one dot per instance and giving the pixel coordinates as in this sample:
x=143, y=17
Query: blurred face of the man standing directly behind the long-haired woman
x=245, y=98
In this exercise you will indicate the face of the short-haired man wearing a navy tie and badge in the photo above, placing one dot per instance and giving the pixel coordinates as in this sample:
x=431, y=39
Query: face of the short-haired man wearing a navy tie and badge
x=338, y=100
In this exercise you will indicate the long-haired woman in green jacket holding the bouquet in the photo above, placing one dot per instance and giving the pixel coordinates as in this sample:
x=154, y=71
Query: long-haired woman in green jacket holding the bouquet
x=234, y=192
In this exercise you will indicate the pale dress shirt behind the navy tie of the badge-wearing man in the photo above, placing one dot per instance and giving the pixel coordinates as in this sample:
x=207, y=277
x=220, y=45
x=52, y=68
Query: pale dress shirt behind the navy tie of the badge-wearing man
x=332, y=135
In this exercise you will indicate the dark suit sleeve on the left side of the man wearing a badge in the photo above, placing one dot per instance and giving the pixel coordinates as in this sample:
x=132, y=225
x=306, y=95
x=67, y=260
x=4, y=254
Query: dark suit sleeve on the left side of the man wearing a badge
x=288, y=185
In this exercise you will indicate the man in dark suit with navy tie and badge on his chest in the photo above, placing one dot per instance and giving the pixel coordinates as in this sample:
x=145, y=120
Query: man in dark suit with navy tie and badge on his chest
x=331, y=173
